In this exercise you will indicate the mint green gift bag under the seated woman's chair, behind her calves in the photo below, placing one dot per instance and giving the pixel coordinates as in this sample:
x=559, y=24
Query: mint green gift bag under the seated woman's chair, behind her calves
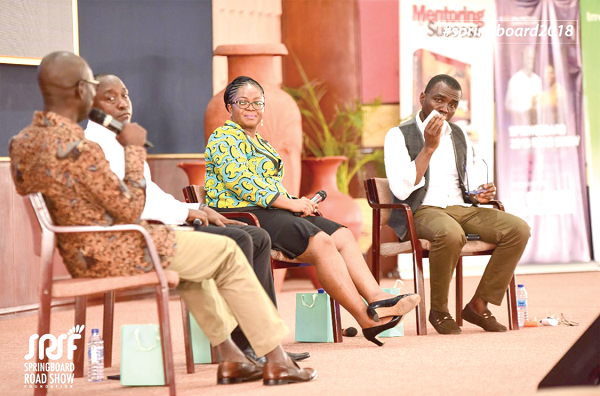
x=313, y=317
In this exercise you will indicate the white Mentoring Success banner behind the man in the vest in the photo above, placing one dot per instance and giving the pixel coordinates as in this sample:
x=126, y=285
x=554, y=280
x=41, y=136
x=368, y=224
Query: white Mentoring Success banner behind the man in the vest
x=451, y=37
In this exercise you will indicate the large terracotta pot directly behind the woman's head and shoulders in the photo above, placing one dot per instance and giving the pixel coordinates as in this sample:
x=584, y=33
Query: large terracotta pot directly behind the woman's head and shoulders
x=282, y=123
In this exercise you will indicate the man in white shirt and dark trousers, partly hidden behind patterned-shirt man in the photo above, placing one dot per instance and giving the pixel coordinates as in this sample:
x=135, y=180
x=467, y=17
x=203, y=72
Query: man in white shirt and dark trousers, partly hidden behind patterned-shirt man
x=112, y=97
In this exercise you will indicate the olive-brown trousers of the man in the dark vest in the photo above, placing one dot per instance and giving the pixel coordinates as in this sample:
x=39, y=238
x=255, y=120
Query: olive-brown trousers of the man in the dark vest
x=446, y=229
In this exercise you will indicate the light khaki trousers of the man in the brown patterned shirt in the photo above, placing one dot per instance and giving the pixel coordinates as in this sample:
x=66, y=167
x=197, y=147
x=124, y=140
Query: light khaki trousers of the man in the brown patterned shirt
x=221, y=290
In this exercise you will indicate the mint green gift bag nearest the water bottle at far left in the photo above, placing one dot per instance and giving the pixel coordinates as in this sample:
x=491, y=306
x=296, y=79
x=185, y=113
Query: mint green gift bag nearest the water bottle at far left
x=141, y=356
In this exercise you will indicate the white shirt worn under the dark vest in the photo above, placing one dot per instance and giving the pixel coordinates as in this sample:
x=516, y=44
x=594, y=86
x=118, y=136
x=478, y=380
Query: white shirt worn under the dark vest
x=444, y=188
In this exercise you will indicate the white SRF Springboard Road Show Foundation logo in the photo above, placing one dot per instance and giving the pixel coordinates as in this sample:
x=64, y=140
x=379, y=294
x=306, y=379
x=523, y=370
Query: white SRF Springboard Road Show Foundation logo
x=51, y=374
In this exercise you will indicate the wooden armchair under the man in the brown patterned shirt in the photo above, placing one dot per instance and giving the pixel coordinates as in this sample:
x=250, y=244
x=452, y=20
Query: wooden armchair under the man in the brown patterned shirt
x=80, y=288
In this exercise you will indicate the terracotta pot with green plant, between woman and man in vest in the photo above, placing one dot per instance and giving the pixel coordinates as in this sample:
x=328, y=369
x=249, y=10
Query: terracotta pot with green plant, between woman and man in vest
x=338, y=206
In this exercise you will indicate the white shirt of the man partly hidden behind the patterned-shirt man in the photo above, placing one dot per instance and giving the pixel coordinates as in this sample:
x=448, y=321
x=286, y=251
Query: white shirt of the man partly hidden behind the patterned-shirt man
x=159, y=206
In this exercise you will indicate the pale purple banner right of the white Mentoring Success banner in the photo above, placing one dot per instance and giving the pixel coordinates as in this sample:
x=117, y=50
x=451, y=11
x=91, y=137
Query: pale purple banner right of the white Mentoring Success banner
x=540, y=146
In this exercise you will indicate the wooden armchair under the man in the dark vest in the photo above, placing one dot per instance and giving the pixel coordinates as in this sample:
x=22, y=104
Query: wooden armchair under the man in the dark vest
x=380, y=199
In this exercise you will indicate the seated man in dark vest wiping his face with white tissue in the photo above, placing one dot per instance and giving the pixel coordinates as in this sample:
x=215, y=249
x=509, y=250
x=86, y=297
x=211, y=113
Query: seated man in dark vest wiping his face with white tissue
x=428, y=161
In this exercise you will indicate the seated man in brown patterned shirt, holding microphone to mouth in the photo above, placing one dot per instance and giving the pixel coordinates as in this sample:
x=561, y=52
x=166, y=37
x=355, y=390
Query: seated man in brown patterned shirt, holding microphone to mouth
x=53, y=157
